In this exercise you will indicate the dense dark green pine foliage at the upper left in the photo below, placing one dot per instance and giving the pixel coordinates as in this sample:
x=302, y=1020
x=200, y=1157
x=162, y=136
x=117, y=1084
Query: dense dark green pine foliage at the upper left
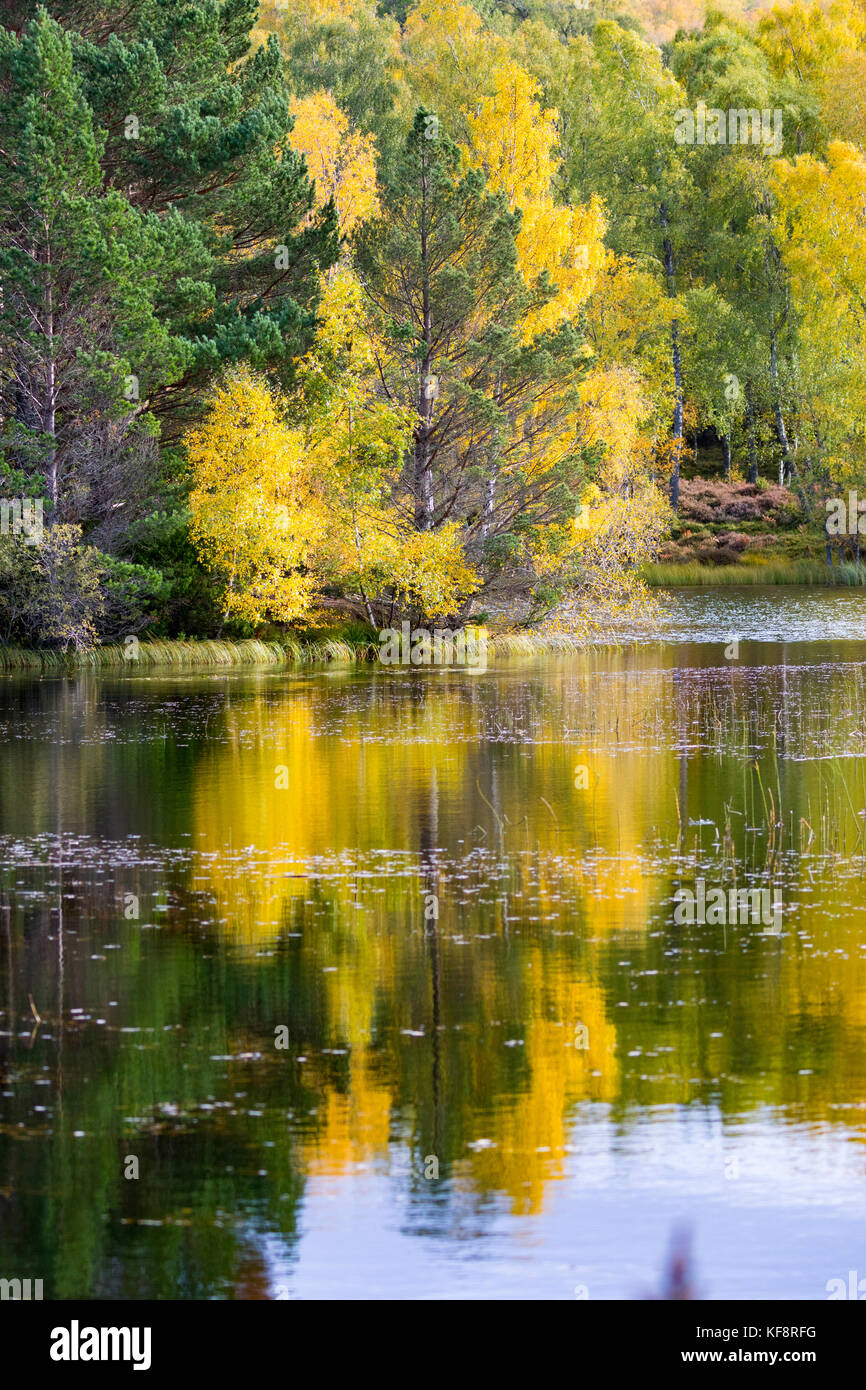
x=148, y=195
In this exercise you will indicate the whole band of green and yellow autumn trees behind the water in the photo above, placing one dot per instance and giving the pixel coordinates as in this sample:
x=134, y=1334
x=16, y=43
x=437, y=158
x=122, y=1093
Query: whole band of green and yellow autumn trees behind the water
x=333, y=308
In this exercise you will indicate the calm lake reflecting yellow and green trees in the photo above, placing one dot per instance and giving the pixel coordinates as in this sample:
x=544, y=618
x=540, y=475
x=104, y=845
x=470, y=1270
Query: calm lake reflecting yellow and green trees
x=376, y=982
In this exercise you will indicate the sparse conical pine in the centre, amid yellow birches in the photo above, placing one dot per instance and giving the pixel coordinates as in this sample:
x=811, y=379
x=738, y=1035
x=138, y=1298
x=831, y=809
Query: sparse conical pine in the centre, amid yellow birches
x=440, y=268
